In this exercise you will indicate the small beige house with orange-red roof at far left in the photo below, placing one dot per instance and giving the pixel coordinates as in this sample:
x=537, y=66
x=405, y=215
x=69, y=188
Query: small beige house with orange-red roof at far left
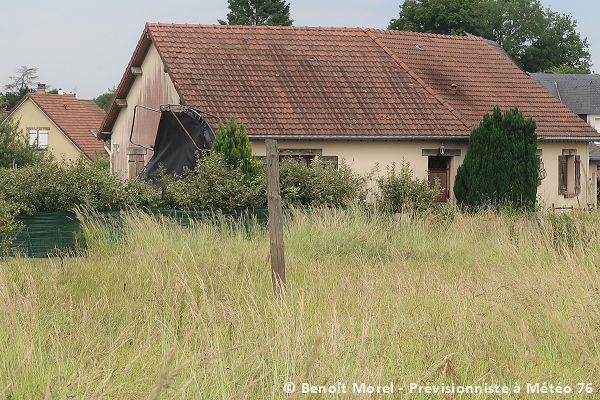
x=60, y=124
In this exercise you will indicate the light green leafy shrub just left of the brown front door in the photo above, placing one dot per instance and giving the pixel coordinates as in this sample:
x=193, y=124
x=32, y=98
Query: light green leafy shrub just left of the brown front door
x=399, y=191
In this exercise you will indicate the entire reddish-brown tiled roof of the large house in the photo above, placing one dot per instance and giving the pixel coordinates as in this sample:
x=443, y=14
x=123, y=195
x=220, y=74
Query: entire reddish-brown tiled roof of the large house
x=346, y=82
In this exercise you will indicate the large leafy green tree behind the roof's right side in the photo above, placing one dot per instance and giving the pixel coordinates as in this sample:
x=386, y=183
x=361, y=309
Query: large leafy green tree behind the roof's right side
x=537, y=39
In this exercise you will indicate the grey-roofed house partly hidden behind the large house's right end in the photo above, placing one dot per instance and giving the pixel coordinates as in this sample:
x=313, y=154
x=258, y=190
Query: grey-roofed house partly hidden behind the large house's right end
x=581, y=93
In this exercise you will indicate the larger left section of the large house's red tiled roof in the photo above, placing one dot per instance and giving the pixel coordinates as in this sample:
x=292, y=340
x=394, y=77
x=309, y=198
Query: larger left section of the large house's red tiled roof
x=307, y=80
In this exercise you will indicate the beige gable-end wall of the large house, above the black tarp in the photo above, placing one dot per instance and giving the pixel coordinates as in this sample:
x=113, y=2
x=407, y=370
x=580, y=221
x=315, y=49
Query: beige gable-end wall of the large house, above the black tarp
x=151, y=89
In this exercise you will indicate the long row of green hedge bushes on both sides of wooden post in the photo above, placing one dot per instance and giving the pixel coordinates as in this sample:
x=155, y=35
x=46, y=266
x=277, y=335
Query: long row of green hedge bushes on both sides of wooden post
x=212, y=184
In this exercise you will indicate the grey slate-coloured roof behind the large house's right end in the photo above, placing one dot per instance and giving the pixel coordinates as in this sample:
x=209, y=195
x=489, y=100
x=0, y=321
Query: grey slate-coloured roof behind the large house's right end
x=579, y=92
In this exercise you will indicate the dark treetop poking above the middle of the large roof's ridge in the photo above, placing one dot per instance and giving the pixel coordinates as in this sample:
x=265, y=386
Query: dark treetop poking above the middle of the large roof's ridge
x=258, y=12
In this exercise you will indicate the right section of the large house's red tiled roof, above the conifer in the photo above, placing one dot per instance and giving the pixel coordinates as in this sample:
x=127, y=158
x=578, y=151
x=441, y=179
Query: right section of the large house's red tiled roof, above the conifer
x=484, y=78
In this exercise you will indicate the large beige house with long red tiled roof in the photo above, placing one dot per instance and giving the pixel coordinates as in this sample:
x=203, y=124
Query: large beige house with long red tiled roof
x=363, y=95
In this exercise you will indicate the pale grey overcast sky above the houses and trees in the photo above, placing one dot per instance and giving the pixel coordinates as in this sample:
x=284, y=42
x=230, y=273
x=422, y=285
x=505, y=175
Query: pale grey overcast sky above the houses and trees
x=85, y=46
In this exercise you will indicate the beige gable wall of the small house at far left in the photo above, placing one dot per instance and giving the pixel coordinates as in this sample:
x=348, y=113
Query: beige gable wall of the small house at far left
x=32, y=117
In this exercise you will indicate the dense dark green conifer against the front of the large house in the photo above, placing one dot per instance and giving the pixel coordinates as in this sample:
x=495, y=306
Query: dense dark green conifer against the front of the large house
x=500, y=167
